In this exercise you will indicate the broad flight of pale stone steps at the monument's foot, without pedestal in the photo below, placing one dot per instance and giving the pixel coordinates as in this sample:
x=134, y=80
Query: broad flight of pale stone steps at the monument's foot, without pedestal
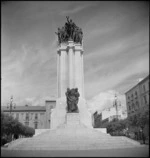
x=52, y=140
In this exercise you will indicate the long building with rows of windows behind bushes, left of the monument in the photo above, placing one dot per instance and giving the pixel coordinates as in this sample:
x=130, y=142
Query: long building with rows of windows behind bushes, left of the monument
x=38, y=117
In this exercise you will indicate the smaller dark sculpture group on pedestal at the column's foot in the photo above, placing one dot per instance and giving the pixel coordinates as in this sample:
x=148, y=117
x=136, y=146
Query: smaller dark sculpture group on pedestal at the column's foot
x=72, y=96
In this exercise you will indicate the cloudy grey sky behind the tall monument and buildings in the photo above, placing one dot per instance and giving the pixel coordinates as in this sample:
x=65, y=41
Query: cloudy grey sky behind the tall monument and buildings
x=116, y=47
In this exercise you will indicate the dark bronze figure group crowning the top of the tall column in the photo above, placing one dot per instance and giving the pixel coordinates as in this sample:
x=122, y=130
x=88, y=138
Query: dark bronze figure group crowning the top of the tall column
x=70, y=32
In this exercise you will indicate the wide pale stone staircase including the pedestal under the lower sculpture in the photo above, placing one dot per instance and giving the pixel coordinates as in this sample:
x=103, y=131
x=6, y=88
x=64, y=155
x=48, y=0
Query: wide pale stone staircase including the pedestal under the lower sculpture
x=73, y=136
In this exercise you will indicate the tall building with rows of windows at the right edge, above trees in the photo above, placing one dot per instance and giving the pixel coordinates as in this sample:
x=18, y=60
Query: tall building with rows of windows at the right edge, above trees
x=138, y=97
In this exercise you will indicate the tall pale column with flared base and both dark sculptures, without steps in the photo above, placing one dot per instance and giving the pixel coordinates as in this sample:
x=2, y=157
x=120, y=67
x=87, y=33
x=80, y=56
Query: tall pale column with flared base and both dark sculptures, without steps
x=70, y=76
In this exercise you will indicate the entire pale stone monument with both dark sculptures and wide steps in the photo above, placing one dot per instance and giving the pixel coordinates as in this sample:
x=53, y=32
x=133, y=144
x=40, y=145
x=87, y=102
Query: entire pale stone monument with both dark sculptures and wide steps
x=71, y=122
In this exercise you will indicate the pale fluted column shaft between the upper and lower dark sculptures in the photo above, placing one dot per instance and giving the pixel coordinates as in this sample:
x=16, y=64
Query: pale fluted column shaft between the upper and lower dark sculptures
x=70, y=68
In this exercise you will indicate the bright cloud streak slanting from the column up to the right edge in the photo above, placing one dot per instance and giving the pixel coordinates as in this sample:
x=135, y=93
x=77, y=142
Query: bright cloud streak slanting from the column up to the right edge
x=107, y=79
